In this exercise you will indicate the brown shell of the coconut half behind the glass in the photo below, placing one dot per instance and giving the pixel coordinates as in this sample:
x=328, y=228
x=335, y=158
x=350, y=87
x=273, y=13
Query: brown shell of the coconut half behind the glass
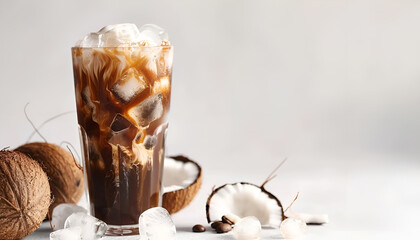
x=174, y=201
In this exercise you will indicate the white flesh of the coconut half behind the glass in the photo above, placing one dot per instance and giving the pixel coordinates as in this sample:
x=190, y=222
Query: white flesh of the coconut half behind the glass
x=178, y=174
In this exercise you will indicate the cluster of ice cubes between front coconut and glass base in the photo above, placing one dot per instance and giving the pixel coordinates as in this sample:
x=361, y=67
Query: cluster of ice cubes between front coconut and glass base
x=73, y=223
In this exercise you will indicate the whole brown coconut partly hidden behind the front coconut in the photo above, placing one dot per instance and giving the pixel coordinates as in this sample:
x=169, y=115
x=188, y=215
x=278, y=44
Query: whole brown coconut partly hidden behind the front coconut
x=65, y=174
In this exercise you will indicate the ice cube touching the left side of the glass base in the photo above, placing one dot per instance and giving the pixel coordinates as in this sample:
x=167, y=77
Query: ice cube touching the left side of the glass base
x=91, y=227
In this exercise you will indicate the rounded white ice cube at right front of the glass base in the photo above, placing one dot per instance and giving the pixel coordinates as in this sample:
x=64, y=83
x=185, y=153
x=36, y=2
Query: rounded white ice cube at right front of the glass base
x=156, y=224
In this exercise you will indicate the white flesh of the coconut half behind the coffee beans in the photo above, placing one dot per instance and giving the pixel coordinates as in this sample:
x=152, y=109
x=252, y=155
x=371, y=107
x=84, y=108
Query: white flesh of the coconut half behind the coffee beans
x=243, y=200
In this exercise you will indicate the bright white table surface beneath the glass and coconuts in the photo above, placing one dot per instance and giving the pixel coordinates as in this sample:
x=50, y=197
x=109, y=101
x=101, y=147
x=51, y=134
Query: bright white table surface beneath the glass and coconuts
x=367, y=198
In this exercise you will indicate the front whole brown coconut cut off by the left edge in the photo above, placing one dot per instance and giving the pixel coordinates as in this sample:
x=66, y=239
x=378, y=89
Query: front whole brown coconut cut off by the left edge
x=24, y=195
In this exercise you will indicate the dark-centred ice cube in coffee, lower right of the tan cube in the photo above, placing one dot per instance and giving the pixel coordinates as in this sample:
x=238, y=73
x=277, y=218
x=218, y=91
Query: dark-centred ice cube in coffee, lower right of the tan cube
x=147, y=111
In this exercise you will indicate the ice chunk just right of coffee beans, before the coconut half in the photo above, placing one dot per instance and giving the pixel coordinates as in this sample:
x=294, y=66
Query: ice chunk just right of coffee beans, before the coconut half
x=247, y=228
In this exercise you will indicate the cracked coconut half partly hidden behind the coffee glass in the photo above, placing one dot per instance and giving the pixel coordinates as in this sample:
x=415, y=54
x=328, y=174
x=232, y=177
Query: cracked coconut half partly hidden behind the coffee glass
x=181, y=182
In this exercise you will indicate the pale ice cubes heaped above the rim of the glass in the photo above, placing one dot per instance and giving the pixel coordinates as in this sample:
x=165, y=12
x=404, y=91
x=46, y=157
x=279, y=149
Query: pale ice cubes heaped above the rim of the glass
x=126, y=34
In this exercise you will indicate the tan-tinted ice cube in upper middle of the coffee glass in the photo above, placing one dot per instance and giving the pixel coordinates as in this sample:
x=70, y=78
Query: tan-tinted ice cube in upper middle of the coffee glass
x=132, y=84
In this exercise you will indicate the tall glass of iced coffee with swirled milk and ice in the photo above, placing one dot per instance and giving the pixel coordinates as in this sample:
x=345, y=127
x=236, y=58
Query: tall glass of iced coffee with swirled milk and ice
x=122, y=78
